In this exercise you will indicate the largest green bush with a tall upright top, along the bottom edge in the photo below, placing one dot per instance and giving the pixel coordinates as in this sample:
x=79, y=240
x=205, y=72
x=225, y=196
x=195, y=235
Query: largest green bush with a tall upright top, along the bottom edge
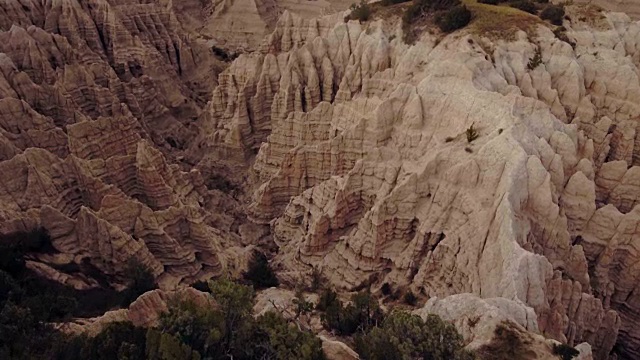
x=229, y=331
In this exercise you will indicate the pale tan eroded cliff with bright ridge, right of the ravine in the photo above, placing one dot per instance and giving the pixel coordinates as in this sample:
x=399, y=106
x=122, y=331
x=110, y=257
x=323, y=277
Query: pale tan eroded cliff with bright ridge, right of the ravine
x=367, y=171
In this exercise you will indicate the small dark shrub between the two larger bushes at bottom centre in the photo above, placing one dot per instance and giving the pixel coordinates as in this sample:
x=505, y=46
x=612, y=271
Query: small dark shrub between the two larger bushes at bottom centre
x=360, y=314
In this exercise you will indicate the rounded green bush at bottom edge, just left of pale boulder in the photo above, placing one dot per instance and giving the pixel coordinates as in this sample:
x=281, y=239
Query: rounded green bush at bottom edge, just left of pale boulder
x=405, y=336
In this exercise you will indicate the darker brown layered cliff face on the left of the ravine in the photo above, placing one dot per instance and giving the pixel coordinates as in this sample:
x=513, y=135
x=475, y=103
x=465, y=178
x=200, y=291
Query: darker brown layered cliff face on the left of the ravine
x=95, y=95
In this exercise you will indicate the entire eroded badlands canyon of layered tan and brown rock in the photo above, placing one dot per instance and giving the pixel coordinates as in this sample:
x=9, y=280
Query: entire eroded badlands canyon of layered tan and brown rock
x=188, y=134
